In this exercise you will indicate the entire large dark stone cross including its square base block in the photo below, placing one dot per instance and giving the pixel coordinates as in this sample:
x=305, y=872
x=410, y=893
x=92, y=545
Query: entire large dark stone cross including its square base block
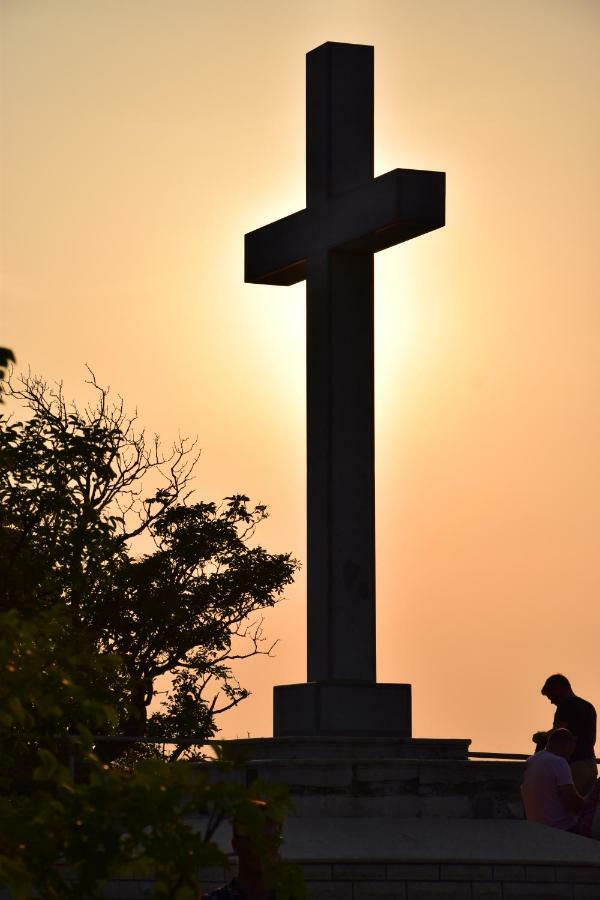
x=349, y=216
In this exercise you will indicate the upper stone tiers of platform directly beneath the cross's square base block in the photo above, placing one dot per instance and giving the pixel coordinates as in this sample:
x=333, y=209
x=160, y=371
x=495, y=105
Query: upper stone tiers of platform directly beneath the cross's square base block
x=380, y=778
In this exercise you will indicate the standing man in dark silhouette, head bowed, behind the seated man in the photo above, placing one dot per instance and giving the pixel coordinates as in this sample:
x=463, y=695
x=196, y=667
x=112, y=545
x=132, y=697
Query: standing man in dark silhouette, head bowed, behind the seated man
x=579, y=717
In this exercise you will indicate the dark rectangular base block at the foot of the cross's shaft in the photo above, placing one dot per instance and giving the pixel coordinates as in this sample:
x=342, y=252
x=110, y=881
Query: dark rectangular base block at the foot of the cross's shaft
x=343, y=708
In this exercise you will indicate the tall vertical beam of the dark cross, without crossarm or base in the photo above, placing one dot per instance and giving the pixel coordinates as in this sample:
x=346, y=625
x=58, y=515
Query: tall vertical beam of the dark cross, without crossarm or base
x=339, y=387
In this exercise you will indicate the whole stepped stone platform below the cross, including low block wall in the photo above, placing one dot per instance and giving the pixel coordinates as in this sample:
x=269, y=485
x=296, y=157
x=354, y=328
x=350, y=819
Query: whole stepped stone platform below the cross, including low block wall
x=401, y=819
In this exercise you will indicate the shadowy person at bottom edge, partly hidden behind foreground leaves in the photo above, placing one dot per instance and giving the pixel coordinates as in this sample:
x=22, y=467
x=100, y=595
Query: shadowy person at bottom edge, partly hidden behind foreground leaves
x=256, y=858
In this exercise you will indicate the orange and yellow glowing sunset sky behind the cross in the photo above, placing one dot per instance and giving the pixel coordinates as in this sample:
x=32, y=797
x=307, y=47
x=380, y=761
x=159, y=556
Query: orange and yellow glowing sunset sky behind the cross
x=142, y=138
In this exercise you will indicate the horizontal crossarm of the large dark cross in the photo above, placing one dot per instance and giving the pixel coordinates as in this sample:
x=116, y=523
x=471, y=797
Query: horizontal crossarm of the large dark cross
x=395, y=207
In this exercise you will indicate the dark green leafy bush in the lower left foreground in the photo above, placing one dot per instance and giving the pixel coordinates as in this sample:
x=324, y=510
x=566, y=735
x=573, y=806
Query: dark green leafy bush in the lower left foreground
x=64, y=838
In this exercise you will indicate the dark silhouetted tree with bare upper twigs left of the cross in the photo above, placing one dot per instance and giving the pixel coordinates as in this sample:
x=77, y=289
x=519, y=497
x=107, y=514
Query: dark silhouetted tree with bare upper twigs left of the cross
x=97, y=522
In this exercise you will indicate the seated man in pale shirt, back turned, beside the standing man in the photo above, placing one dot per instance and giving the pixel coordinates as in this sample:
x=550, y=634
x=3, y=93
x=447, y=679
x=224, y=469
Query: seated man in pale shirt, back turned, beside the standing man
x=548, y=792
